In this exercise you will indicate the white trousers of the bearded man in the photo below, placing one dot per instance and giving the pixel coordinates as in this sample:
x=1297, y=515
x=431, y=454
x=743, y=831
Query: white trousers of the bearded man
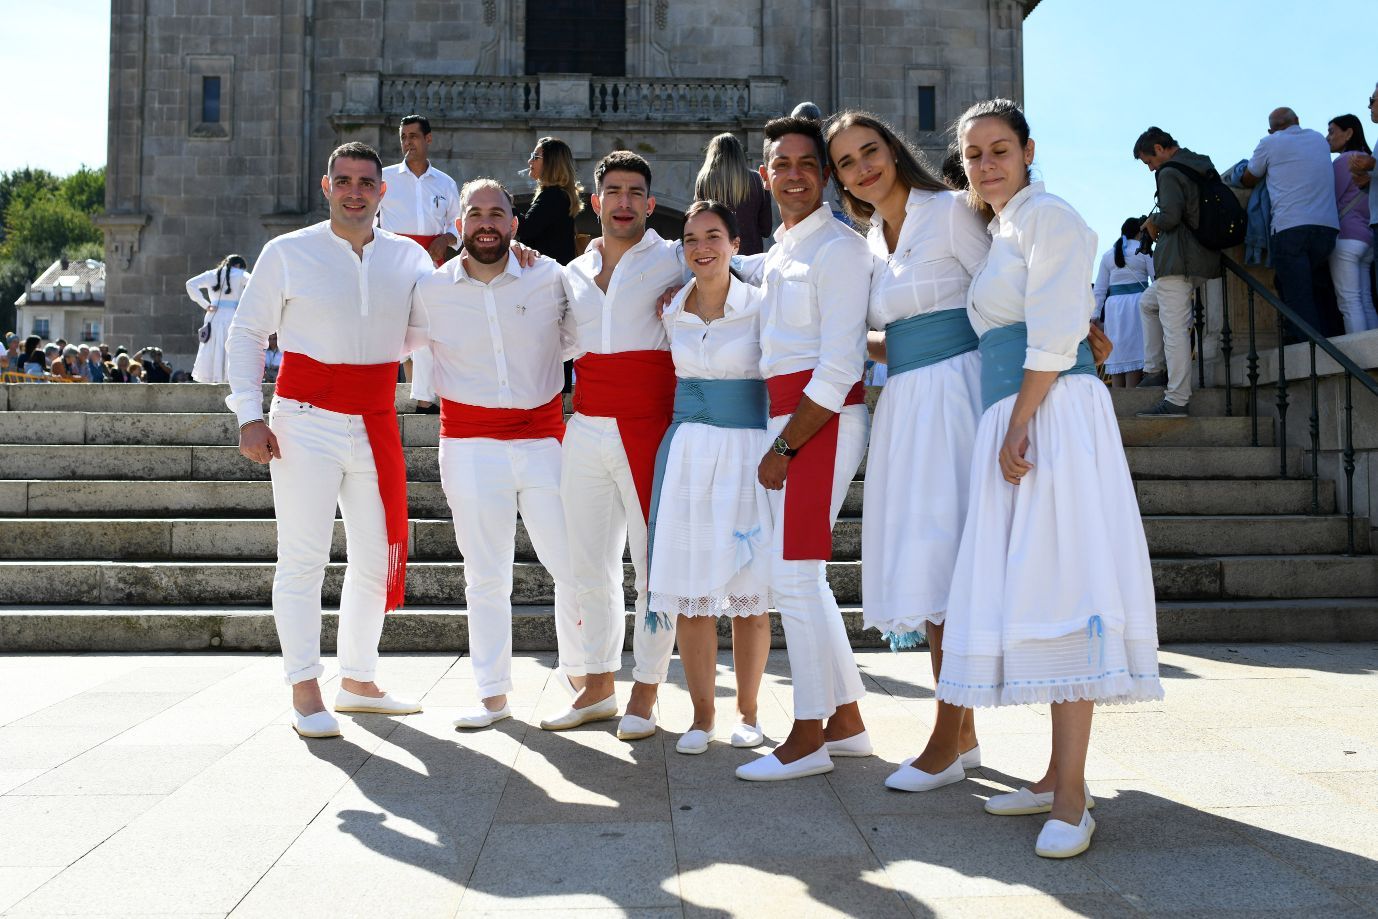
x=487, y=483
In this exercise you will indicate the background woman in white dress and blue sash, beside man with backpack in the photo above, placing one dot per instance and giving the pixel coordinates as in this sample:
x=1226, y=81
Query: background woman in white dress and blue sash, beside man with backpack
x=1125, y=275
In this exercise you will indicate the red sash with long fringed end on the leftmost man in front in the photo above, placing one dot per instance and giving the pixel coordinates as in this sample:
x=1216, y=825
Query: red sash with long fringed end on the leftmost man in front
x=367, y=391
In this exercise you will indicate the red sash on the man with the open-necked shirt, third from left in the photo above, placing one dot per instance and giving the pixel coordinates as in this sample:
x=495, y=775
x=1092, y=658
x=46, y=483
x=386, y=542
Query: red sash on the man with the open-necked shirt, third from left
x=637, y=389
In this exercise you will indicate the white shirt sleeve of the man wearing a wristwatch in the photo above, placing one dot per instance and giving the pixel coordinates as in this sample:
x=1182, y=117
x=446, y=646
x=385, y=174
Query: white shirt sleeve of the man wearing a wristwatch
x=843, y=285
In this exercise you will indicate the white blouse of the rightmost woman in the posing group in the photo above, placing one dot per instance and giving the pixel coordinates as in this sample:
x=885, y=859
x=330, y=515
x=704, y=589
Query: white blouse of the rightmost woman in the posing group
x=1038, y=273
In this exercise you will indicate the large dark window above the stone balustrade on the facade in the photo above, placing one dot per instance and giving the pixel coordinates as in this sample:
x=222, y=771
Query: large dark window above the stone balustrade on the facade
x=577, y=37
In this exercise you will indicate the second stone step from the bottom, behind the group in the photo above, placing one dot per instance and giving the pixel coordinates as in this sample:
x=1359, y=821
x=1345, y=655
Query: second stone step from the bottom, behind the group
x=235, y=584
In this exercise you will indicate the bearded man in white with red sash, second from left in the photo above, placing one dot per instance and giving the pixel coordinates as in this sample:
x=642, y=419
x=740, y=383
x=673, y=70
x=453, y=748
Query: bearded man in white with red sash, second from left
x=500, y=335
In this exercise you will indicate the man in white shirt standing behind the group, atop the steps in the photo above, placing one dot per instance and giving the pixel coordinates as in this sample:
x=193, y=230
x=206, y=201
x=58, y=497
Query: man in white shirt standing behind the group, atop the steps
x=422, y=205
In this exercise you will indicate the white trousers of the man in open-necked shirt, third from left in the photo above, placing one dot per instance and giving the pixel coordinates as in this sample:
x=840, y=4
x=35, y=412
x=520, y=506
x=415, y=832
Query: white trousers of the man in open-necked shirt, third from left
x=603, y=515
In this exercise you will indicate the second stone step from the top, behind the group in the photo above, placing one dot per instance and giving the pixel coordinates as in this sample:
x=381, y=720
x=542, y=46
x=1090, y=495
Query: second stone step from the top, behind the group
x=220, y=429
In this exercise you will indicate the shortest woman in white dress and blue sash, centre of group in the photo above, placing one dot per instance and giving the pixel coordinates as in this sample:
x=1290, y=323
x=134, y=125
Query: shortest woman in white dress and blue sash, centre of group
x=710, y=522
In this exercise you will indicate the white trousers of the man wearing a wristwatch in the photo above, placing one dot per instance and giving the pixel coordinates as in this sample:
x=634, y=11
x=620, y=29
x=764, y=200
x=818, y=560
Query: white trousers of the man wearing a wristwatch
x=822, y=666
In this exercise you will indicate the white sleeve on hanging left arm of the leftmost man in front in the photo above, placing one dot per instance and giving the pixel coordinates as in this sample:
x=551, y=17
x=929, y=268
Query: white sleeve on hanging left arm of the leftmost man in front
x=258, y=316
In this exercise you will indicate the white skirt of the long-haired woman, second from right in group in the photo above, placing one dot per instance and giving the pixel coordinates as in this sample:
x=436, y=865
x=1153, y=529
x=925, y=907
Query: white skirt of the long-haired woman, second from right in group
x=917, y=483
